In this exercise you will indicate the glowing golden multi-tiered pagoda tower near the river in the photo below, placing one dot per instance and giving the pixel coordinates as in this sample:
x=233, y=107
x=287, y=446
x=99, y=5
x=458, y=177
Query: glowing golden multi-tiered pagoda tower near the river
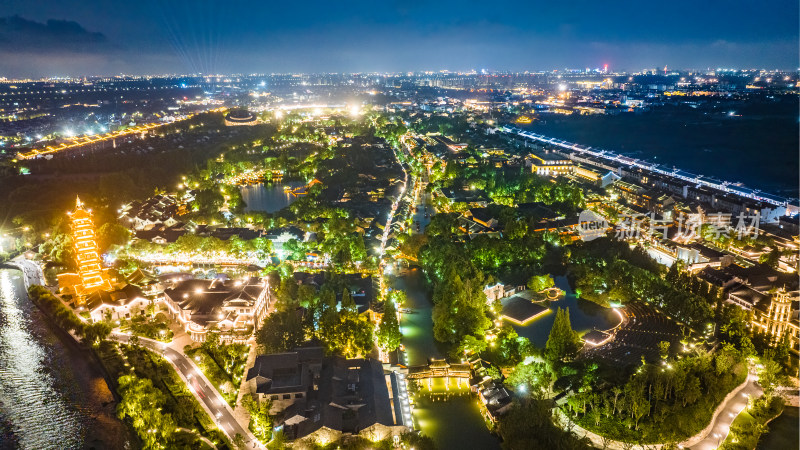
x=87, y=257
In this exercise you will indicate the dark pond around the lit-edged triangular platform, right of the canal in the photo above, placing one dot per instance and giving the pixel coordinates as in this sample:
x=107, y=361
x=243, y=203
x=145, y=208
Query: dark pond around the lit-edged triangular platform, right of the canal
x=583, y=314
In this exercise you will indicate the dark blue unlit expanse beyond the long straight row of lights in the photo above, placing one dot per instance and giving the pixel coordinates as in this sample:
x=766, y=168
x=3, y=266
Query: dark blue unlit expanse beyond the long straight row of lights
x=700, y=143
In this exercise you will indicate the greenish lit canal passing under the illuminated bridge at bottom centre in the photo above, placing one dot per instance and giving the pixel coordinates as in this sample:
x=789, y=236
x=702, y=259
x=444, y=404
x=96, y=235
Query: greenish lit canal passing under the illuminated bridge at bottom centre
x=450, y=415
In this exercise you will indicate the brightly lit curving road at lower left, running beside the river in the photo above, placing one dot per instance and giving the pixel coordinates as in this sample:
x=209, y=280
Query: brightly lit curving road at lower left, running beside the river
x=202, y=389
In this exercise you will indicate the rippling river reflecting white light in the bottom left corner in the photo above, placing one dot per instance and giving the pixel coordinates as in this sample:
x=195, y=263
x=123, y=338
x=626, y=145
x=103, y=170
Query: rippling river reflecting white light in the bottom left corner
x=51, y=395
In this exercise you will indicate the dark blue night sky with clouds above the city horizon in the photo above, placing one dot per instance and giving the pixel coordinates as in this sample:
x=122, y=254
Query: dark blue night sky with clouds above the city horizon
x=100, y=37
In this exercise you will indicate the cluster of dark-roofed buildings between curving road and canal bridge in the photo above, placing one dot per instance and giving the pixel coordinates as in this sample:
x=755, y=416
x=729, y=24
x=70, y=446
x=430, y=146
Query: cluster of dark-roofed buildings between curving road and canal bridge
x=314, y=395
